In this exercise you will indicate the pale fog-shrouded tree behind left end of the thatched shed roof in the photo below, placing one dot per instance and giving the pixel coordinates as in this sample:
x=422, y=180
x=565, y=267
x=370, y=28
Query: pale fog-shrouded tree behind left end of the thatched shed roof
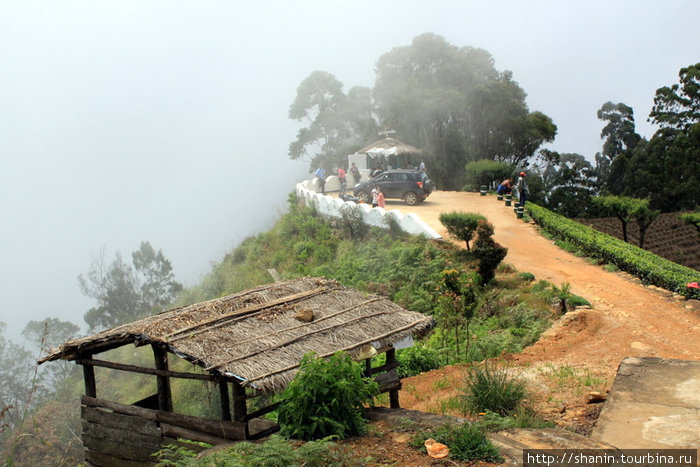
x=124, y=292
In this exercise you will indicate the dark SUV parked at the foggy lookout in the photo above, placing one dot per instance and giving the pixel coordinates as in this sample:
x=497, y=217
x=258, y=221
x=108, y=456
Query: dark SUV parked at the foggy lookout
x=412, y=186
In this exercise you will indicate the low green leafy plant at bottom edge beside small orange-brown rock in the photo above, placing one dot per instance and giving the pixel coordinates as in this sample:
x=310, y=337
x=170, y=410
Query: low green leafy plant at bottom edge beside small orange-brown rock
x=466, y=442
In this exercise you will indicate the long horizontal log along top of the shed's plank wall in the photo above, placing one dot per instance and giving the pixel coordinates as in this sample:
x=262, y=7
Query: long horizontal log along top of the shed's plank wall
x=222, y=428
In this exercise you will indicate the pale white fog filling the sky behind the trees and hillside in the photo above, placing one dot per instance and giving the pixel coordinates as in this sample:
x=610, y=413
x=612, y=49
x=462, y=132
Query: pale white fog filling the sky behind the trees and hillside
x=166, y=121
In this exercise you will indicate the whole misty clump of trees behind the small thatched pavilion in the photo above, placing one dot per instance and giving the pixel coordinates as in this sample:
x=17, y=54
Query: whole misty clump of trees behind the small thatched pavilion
x=448, y=101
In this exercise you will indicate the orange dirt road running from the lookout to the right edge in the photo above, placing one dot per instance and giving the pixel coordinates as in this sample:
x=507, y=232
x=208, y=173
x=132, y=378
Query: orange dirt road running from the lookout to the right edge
x=626, y=319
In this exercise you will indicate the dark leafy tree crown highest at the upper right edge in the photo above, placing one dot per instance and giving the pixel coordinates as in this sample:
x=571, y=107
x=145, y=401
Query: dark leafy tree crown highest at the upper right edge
x=678, y=106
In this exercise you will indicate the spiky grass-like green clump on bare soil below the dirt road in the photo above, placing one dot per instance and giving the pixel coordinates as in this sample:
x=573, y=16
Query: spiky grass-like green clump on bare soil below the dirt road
x=488, y=387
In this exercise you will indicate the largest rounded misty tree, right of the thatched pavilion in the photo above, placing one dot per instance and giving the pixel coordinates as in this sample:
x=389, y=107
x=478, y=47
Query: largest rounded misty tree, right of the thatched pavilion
x=452, y=103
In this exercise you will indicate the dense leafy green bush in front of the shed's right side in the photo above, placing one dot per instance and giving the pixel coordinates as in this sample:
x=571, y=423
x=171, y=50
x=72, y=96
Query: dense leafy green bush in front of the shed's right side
x=325, y=398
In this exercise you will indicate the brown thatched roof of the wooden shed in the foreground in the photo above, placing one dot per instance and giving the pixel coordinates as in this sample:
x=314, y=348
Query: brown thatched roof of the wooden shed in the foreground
x=256, y=336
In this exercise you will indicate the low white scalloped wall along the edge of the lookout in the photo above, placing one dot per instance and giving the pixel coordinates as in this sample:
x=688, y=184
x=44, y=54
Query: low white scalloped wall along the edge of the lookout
x=333, y=207
